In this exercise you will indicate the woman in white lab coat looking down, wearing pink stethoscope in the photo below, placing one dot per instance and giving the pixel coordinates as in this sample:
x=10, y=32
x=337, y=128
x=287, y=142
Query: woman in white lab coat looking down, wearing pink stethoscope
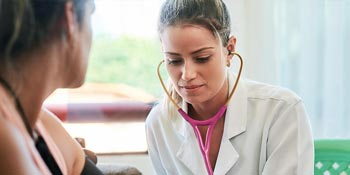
x=211, y=121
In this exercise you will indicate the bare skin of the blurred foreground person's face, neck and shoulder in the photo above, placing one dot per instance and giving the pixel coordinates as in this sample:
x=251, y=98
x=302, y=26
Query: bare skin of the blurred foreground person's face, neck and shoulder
x=51, y=72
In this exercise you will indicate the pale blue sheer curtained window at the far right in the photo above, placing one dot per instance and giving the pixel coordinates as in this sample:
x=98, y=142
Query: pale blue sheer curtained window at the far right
x=313, y=44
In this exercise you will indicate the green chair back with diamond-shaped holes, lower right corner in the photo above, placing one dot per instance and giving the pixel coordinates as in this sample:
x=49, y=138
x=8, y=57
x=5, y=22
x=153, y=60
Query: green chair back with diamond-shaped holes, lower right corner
x=332, y=157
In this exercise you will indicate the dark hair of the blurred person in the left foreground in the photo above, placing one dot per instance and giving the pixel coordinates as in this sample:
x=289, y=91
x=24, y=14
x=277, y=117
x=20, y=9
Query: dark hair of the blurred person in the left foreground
x=28, y=24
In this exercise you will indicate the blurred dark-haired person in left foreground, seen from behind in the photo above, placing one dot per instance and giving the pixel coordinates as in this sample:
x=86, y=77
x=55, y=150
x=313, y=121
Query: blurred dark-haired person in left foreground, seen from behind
x=44, y=45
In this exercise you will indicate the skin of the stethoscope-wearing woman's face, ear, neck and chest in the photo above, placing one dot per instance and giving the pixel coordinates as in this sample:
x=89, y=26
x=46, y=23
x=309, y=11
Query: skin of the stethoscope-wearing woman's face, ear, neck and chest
x=196, y=63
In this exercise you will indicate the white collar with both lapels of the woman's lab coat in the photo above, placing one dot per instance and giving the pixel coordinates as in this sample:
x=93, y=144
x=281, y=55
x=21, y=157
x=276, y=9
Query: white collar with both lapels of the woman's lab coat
x=235, y=124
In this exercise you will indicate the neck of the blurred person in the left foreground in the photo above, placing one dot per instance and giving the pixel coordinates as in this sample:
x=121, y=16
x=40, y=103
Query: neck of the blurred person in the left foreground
x=32, y=84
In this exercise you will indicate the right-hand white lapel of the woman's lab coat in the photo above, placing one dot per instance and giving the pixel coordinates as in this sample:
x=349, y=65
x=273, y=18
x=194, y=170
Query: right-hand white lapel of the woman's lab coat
x=235, y=124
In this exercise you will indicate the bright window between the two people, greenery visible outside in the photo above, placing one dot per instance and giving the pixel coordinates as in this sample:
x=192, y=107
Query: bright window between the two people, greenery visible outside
x=109, y=110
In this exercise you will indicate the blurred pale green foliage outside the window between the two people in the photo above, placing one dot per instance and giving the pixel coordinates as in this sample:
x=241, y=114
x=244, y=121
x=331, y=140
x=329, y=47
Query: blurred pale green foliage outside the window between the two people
x=127, y=60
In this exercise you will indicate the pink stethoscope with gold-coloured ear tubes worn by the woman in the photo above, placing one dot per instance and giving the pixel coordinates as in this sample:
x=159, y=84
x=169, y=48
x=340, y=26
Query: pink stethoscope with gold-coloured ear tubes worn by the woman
x=210, y=122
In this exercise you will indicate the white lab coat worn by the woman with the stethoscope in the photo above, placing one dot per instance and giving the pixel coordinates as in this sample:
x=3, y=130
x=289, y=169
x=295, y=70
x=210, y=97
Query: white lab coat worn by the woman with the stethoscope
x=266, y=132
